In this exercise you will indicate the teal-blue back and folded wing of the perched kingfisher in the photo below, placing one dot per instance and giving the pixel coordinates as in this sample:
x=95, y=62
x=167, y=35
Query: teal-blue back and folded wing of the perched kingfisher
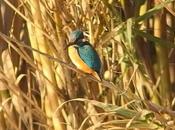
x=89, y=56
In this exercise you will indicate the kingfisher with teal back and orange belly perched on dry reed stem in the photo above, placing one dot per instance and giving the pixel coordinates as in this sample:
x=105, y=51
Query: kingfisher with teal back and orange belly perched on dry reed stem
x=83, y=55
